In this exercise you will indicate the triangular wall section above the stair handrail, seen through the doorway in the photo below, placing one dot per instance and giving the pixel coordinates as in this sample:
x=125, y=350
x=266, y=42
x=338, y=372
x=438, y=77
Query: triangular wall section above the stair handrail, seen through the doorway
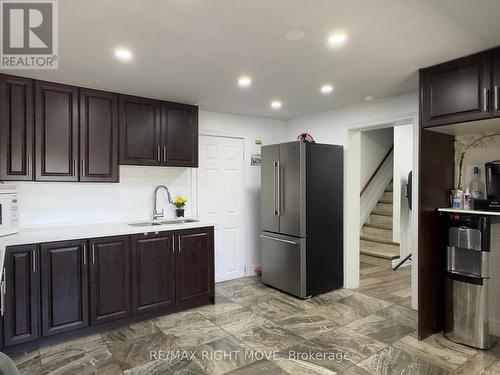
x=374, y=146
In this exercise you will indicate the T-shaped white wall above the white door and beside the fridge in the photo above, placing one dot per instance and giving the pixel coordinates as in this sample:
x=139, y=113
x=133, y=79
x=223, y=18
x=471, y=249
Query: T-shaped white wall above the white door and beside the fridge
x=249, y=128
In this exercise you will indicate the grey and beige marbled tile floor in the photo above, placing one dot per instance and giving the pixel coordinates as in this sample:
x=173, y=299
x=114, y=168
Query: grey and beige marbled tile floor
x=253, y=329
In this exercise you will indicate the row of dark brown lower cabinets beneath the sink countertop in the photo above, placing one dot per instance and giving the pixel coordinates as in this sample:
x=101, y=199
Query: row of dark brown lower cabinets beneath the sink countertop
x=64, y=286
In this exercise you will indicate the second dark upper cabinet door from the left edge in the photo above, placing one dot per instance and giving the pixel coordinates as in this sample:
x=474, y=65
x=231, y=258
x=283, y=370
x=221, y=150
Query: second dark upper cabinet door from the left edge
x=56, y=132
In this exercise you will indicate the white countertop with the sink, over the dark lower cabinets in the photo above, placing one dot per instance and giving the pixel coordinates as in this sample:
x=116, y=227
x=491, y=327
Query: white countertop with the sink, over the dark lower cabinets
x=33, y=235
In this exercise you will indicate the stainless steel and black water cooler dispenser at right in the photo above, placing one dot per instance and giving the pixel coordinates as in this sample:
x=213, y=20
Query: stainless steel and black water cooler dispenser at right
x=467, y=280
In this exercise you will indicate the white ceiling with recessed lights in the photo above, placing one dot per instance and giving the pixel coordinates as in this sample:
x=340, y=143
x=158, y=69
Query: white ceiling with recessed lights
x=193, y=50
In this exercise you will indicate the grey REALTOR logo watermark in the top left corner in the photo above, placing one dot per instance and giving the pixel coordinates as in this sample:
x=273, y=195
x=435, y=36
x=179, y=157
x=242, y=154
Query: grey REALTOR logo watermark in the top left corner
x=29, y=37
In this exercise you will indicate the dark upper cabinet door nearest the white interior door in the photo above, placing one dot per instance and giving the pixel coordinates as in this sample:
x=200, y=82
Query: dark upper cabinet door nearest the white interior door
x=180, y=135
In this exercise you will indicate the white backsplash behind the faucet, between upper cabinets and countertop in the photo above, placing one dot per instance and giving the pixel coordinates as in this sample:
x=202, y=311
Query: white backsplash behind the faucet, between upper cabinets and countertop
x=49, y=203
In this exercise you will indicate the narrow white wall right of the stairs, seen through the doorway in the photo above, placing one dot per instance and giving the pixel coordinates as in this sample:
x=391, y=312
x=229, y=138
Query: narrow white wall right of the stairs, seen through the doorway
x=403, y=164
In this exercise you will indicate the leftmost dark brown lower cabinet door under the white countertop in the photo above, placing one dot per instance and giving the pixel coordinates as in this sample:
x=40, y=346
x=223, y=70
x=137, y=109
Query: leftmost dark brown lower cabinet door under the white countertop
x=21, y=300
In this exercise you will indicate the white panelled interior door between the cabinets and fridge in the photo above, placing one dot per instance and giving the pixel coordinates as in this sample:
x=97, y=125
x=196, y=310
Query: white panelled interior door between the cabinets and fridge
x=221, y=192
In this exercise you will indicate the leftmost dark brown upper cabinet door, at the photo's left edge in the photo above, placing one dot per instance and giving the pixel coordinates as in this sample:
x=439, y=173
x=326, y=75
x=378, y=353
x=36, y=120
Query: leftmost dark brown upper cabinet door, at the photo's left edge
x=16, y=128
